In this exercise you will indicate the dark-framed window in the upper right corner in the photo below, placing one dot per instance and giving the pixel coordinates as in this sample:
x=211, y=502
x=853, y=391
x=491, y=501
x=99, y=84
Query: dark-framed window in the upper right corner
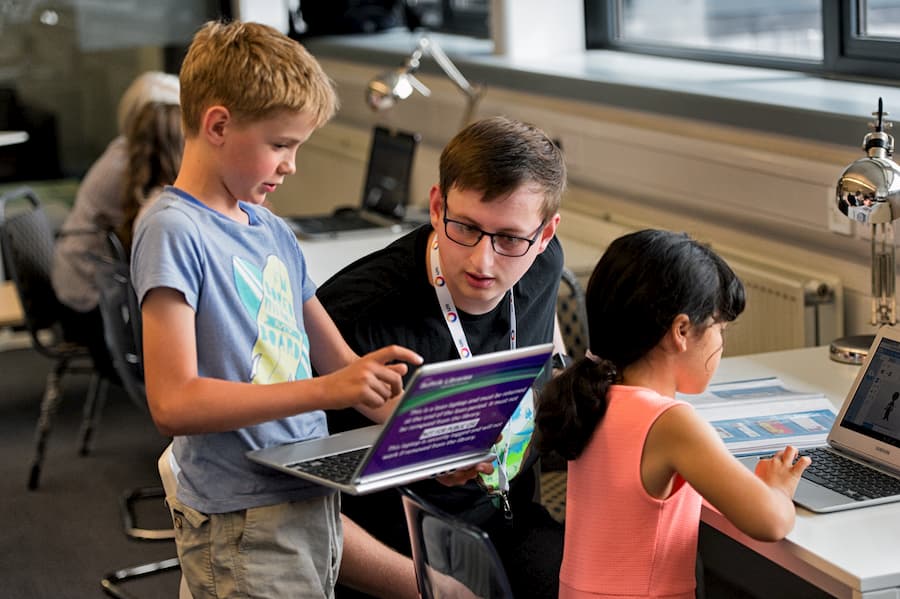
x=847, y=37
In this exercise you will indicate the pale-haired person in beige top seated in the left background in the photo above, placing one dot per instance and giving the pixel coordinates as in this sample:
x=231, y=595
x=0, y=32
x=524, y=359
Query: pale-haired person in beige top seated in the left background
x=98, y=208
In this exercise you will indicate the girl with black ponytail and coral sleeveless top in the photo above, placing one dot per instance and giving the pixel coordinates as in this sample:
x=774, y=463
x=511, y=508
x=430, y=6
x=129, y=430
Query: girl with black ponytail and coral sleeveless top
x=640, y=461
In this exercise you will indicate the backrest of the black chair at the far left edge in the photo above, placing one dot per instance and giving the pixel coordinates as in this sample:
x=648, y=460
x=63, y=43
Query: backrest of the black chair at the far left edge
x=27, y=245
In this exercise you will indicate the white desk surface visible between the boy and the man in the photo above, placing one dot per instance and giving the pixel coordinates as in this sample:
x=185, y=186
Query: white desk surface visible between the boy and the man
x=324, y=257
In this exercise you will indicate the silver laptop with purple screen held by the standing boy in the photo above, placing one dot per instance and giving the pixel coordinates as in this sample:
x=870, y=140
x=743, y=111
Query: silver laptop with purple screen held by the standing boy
x=448, y=418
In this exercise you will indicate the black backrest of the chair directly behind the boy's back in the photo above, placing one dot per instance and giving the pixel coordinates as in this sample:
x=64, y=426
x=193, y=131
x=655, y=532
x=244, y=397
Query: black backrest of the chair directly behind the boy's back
x=121, y=319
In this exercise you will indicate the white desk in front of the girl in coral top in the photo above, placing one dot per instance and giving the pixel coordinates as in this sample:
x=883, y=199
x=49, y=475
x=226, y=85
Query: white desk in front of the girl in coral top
x=848, y=554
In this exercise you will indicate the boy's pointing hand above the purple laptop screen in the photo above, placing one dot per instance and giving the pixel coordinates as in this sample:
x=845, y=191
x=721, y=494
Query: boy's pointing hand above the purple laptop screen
x=373, y=379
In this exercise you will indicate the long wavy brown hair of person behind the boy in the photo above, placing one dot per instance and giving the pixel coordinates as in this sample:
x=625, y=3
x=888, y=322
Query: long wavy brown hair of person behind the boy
x=155, y=144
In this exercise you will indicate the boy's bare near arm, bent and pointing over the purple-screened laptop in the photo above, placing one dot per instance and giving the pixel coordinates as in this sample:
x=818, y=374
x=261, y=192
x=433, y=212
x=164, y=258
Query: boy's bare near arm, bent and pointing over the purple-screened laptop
x=182, y=402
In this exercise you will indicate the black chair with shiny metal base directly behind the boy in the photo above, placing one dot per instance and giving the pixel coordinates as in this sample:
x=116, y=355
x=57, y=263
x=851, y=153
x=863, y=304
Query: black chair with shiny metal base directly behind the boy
x=122, y=331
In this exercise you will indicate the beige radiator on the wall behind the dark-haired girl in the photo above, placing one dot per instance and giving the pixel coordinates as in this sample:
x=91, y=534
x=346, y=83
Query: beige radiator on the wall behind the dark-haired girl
x=787, y=307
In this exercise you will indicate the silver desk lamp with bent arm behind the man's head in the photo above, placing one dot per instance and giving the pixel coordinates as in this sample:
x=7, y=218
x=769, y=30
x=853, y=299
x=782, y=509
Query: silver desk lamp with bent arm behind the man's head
x=387, y=89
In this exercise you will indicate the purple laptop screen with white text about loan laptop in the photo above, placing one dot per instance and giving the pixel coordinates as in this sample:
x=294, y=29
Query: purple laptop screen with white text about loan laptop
x=453, y=413
